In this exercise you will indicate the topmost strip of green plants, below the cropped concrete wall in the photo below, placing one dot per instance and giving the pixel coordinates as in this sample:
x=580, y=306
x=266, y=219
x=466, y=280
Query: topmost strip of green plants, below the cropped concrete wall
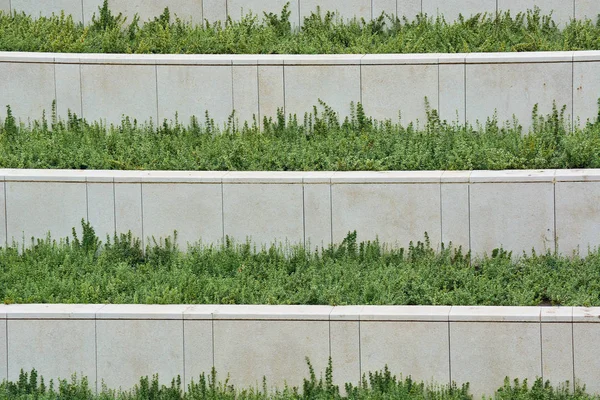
x=320, y=33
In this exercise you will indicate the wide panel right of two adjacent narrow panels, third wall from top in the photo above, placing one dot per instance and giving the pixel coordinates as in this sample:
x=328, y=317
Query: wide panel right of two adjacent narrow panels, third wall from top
x=200, y=219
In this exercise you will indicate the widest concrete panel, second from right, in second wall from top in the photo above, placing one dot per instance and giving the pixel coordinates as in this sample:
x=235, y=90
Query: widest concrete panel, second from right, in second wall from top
x=498, y=87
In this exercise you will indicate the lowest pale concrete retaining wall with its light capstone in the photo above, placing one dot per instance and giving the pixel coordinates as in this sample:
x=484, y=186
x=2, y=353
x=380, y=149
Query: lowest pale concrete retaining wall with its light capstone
x=120, y=343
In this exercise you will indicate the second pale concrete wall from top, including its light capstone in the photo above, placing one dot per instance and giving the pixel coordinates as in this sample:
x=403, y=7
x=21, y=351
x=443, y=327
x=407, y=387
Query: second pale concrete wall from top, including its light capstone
x=462, y=87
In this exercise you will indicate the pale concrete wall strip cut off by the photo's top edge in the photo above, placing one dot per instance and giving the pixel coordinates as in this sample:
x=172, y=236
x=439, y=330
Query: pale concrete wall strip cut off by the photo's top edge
x=218, y=10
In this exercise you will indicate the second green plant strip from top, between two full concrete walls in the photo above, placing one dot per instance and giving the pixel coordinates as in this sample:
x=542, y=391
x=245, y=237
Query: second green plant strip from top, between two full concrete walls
x=321, y=141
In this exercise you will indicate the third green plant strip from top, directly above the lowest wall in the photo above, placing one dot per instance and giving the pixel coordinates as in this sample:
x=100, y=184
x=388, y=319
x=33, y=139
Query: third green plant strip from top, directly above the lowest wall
x=119, y=271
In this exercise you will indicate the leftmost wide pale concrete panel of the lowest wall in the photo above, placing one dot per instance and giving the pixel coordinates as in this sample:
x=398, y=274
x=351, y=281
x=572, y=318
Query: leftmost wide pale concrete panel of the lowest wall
x=55, y=348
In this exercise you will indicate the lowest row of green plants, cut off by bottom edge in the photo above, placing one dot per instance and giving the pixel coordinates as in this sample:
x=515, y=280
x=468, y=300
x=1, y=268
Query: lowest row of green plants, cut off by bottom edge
x=378, y=385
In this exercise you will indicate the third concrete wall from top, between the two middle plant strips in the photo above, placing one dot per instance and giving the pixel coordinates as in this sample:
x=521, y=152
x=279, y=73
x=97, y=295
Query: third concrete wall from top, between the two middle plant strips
x=479, y=210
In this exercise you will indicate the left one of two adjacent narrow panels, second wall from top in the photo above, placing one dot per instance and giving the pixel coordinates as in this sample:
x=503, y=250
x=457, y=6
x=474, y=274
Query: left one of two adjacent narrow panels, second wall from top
x=245, y=93
